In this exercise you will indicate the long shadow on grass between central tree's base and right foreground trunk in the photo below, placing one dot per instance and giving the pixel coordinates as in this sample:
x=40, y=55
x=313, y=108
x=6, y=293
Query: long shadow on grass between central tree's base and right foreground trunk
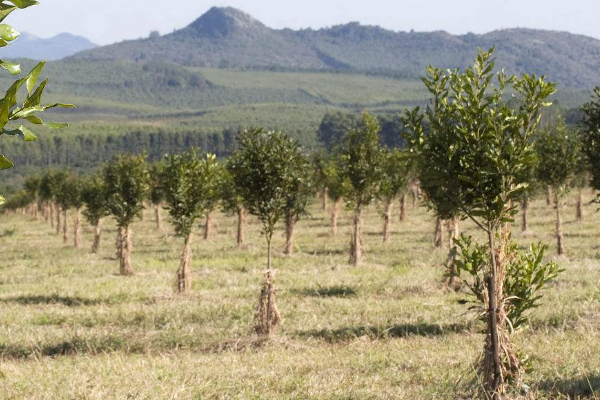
x=378, y=332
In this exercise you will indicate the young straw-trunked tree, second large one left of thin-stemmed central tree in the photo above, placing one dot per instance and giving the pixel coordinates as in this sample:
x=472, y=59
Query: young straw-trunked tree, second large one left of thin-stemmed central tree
x=126, y=186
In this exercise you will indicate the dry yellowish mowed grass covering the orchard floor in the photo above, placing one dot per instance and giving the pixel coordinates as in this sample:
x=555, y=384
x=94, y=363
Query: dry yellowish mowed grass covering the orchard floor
x=71, y=328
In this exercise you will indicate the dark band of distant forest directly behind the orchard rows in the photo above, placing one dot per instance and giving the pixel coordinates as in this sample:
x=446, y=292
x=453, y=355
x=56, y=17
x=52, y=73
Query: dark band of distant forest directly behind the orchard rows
x=86, y=151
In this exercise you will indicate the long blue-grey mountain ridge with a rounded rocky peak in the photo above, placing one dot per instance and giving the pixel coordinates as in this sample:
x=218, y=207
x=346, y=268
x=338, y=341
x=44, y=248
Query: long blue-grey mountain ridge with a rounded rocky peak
x=230, y=38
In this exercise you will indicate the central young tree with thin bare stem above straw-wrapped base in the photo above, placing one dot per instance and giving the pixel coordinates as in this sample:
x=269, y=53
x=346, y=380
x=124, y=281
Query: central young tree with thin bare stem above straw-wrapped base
x=263, y=170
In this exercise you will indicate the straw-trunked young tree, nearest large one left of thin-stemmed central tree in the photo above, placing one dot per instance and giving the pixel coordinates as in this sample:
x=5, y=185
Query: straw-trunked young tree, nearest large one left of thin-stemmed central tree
x=190, y=183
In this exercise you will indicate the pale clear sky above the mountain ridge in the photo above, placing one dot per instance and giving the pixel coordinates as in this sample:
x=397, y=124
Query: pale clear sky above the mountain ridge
x=106, y=22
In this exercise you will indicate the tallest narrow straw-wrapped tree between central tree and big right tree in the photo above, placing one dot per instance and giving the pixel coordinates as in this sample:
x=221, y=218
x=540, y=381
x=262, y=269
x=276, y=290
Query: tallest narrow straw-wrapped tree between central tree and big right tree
x=361, y=164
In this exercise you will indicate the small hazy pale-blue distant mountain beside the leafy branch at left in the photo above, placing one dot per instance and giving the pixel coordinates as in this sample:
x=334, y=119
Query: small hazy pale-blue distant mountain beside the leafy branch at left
x=54, y=48
